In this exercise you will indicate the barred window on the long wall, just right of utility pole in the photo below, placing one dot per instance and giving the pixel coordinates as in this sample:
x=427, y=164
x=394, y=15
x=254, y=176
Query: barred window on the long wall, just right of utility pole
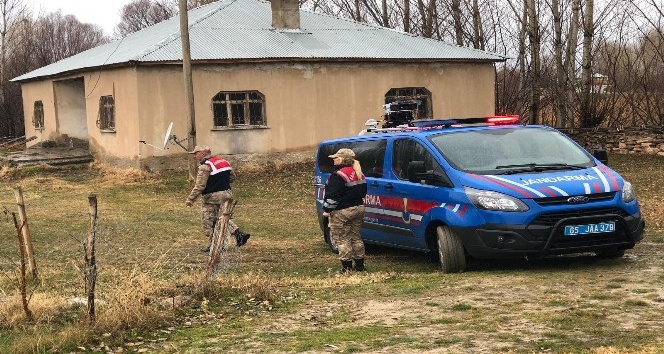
x=238, y=108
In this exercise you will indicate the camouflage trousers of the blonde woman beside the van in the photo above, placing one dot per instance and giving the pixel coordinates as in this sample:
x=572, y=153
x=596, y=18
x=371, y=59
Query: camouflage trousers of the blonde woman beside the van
x=345, y=227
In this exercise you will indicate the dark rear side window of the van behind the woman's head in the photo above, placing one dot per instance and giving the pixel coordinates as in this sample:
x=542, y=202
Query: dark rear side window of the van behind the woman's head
x=370, y=153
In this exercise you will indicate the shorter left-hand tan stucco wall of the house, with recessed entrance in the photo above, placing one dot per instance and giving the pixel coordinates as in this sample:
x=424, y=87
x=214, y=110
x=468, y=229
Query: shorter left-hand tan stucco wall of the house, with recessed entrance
x=64, y=102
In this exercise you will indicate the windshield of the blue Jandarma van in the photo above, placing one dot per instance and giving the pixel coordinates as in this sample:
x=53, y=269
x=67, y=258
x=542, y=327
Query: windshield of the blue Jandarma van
x=511, y=150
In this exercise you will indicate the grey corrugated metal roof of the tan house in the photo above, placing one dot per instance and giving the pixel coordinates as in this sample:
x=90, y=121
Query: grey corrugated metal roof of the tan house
x=242, y=29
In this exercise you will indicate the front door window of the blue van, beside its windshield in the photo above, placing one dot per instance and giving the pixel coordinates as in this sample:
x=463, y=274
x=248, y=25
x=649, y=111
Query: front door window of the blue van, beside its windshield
x=407, y=150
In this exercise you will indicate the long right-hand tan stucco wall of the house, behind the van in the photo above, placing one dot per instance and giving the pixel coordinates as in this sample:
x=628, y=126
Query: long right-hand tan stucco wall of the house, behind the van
x=305, y=103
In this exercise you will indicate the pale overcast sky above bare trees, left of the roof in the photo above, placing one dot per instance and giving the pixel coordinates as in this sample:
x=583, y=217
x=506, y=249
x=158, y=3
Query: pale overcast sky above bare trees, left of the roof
x=105, y=13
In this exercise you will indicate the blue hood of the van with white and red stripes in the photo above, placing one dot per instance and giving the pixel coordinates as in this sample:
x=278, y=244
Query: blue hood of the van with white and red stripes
x=598, y=179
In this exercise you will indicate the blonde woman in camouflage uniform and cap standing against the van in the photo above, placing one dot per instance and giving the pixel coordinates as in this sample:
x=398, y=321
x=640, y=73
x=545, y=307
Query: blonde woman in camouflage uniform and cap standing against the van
x=343, y=204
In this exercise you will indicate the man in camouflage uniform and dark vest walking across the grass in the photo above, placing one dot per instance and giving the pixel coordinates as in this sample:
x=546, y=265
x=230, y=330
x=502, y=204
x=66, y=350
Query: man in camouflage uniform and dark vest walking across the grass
x=213, y=183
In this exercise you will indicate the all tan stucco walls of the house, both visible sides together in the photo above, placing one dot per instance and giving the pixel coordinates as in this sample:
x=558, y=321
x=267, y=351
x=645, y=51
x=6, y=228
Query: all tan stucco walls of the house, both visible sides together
x=304, y=103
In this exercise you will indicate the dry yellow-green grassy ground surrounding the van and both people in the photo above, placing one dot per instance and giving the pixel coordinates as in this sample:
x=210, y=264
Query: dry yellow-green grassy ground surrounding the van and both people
x=285, y=295
